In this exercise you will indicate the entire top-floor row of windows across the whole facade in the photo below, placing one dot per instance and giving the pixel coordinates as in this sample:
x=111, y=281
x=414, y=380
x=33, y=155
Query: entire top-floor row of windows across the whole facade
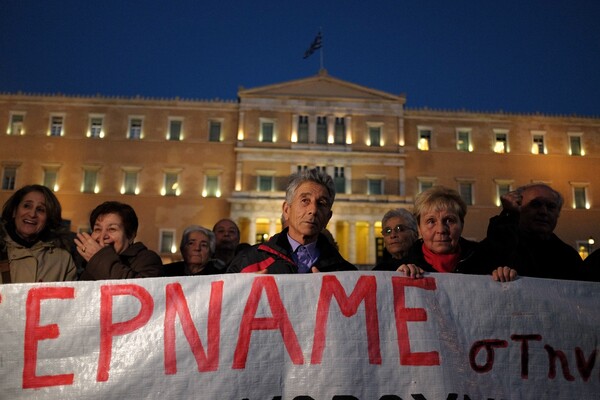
x=320, y=130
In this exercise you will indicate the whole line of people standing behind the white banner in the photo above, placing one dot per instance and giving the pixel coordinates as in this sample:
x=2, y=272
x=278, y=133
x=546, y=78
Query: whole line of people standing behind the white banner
x=520, y=241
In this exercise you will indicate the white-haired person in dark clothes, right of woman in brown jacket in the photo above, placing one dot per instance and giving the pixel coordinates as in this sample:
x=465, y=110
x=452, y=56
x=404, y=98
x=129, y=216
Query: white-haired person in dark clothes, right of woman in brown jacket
x=197, y=248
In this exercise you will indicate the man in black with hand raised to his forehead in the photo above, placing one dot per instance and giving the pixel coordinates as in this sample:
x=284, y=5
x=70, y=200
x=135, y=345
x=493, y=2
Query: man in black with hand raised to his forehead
x=522, y=237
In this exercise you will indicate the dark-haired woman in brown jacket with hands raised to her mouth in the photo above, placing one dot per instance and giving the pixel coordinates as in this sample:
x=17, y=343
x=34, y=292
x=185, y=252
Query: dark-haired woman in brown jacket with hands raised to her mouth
x=110, y=250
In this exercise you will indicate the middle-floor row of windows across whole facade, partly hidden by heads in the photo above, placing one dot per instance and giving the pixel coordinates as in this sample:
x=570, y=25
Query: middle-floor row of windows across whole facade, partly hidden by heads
x=265, y=182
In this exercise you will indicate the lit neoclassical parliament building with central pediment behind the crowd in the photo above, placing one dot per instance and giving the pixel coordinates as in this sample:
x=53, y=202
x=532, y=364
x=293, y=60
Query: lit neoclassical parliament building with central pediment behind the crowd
x=181, y=161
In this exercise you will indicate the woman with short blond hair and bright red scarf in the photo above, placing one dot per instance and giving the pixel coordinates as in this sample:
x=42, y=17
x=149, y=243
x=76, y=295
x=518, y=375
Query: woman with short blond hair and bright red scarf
x=440, y=214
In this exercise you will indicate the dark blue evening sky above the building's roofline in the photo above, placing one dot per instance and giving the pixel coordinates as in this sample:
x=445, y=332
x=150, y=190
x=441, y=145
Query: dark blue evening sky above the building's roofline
x=514, y=55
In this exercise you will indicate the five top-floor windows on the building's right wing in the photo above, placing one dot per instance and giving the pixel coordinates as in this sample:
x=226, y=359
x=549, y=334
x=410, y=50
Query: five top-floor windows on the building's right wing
x=501, y=145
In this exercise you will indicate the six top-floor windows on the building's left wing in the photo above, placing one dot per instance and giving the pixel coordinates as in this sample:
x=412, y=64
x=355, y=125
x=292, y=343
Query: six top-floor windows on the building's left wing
x=96, y=127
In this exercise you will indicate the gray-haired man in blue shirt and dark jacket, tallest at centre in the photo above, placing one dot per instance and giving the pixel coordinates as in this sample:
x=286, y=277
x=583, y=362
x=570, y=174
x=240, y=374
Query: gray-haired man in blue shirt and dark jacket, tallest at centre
x=300, y=247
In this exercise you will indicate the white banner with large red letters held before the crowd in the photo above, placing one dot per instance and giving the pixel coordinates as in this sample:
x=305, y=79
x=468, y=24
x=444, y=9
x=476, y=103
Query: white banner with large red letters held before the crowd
x=351, y=335
